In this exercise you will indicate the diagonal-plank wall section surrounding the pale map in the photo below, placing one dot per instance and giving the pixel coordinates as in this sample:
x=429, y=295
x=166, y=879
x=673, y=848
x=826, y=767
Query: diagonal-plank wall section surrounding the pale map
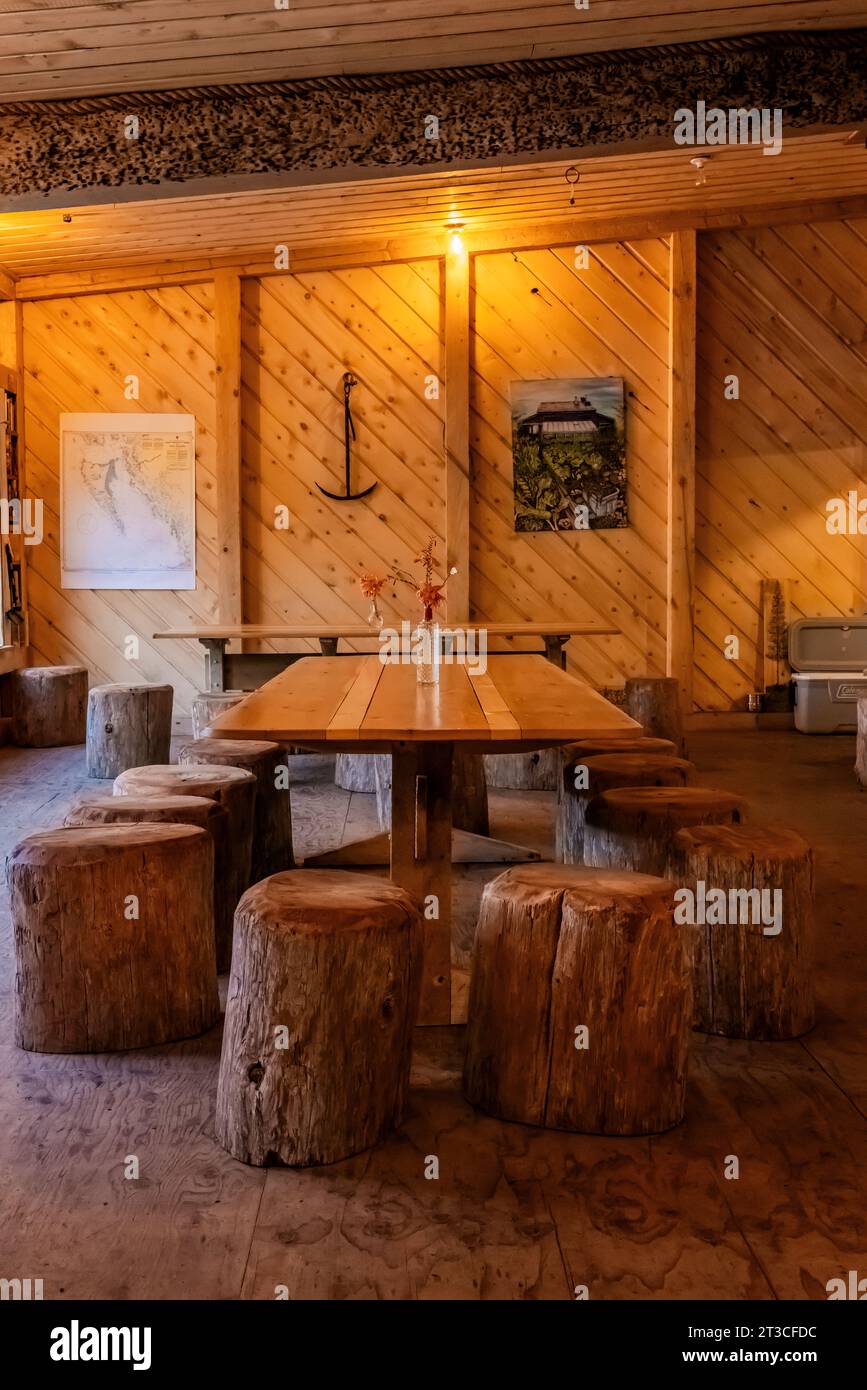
x=77, y=354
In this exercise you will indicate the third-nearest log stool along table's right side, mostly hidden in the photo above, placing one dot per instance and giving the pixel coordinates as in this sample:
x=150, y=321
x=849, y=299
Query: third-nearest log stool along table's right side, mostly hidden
x=605, y=772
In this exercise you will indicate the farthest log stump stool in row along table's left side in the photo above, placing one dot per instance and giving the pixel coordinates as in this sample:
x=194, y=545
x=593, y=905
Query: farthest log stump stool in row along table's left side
x=273, y=815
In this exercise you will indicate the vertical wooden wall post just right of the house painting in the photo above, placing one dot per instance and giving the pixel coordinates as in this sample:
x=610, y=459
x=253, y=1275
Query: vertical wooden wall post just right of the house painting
x=680, y=646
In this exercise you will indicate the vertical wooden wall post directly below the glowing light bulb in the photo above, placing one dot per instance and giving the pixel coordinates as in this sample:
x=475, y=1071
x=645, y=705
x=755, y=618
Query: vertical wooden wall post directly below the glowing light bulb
x=458, y=430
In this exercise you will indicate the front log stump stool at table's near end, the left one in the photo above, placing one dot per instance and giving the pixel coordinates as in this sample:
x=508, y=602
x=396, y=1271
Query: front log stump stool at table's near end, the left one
x=319, y=1029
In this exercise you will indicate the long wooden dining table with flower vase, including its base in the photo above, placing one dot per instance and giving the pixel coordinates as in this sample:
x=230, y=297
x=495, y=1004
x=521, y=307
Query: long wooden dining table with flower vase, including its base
x=359, y=704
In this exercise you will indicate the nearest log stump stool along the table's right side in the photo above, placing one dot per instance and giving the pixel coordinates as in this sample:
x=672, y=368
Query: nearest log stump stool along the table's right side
x=747, y=983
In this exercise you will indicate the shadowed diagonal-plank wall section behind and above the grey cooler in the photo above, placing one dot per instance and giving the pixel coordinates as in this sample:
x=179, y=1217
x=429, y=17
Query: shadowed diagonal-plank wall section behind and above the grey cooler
x=786, y=311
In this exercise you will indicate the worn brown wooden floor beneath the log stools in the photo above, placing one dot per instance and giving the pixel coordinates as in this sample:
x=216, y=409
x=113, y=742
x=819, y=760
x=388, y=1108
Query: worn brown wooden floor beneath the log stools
x=516, y=1213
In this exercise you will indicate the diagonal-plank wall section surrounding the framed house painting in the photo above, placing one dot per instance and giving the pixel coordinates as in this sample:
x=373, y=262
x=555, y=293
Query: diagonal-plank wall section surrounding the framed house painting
x=537, y=316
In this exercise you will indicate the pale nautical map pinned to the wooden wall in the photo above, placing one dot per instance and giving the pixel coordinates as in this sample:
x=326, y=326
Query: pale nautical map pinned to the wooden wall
x=129, y=502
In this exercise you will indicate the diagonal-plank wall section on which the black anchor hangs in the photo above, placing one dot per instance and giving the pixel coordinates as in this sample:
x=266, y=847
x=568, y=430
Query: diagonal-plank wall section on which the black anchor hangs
x=301, y=334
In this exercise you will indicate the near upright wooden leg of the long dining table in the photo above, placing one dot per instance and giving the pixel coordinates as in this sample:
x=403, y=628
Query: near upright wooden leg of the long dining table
x=422, y=861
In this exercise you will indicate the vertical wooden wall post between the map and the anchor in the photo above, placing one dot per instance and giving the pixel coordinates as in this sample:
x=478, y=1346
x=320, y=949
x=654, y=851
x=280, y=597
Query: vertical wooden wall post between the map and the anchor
x=227, y=338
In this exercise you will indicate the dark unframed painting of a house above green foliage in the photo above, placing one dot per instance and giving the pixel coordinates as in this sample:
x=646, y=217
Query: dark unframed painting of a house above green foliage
x=569, y=448
